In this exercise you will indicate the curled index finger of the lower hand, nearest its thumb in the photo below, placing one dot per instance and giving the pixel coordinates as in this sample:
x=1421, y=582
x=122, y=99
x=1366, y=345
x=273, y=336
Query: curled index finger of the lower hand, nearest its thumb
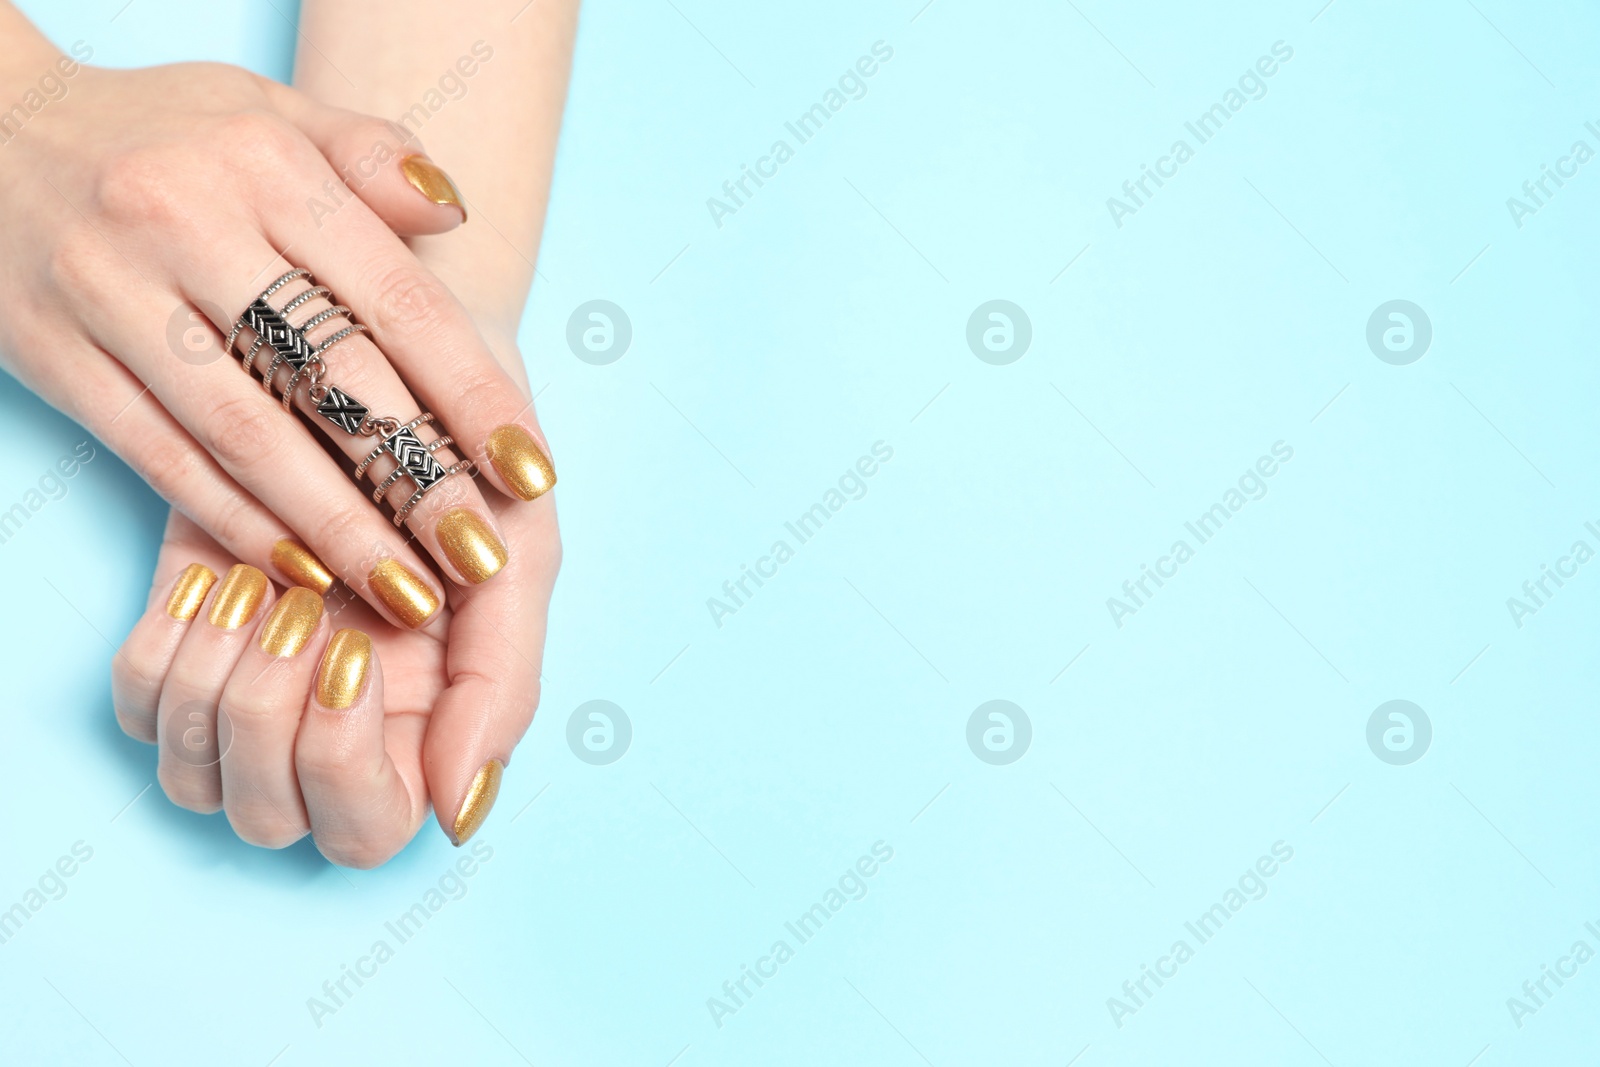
x=364, y=805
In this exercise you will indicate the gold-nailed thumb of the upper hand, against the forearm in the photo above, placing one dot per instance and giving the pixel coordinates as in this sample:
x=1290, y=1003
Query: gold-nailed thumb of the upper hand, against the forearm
x=380, y=162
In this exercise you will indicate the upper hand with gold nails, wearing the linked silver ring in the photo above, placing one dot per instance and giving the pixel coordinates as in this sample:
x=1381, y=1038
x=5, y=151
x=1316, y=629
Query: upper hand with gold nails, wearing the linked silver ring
x=145, y=209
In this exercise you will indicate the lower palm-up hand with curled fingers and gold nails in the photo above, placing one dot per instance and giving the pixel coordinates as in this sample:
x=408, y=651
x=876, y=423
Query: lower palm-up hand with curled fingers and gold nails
x=295, y=716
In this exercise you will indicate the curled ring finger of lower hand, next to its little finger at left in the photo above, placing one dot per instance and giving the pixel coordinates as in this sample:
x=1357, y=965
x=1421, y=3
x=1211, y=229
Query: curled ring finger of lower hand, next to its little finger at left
x=191, y=740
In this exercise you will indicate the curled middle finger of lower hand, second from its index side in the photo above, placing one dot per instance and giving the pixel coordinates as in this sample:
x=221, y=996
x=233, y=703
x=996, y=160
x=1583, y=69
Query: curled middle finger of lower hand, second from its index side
x=263, y=700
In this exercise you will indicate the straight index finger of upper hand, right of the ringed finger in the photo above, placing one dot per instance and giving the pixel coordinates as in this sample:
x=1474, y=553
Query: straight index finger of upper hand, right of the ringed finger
x=431, y=342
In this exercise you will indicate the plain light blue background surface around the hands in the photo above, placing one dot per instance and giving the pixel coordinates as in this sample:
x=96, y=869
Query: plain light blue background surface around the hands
x=831, y=711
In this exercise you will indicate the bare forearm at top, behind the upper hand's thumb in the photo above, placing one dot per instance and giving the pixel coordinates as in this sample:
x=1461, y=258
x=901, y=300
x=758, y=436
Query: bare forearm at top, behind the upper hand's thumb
x=482, y=87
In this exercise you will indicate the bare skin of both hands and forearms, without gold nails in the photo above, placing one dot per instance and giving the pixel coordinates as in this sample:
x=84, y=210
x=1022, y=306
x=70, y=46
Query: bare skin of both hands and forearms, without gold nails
x=122, y=209
